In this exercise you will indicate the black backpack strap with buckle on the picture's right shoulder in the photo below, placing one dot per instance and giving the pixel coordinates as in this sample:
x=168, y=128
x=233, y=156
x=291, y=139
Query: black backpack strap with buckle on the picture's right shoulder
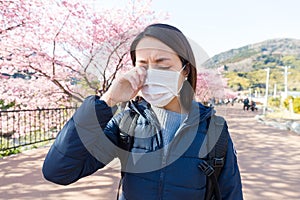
x=216, y=145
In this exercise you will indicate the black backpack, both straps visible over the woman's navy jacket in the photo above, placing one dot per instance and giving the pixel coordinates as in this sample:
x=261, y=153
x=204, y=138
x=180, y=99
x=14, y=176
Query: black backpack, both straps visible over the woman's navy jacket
x=211, y=166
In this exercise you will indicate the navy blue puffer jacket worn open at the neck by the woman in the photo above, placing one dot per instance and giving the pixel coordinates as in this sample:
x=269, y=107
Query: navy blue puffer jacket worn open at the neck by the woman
x=152, y=170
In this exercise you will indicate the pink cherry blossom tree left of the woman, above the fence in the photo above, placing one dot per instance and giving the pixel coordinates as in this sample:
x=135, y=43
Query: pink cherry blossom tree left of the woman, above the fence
x=55, y=51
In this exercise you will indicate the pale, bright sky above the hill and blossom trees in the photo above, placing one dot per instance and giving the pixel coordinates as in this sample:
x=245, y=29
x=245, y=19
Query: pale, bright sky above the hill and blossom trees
x=221, y=25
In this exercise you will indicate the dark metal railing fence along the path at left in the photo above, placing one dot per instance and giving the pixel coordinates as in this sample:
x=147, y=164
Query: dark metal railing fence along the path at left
x=26, y=127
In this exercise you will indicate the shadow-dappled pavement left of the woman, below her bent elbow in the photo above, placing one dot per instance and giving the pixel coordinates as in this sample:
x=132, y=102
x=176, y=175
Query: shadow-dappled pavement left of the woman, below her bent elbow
x=21, y=178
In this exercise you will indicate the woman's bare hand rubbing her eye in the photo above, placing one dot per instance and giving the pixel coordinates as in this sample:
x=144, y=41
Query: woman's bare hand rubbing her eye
x=125, y=86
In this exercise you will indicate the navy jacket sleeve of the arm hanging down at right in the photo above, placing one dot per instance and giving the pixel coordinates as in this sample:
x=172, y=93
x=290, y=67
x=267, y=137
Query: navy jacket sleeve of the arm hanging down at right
x=229, y=179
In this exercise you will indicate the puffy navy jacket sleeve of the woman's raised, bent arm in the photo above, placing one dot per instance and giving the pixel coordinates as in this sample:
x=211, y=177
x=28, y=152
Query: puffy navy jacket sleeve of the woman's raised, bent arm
x=80, y=148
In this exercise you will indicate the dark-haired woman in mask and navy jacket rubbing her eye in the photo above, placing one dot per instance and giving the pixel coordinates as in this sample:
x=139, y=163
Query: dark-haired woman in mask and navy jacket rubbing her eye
x=158, y=139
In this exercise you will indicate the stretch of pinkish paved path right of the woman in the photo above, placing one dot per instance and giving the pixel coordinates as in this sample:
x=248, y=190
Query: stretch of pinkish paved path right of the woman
x=269, y=158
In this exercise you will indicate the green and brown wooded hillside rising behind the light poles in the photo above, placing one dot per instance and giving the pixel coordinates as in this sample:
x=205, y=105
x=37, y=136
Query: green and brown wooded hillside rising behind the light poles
x=245, y=67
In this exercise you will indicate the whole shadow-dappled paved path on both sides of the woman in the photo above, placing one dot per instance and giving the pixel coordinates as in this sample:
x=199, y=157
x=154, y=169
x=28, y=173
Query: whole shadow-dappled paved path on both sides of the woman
x=269, y=161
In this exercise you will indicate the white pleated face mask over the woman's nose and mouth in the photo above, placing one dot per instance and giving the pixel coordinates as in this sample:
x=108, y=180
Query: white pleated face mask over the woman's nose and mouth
x=160, y=86
